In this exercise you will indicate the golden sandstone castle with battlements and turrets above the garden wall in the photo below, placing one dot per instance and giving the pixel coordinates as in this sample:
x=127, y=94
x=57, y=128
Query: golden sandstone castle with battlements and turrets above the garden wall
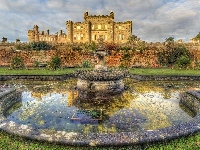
x=90, y=30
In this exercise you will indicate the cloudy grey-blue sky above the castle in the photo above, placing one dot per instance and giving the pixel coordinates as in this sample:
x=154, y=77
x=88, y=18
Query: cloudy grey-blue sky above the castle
x=153, y=20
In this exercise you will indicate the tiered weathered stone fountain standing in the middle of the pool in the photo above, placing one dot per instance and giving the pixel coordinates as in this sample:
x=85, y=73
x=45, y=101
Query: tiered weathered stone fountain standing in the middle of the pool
x=101, y=81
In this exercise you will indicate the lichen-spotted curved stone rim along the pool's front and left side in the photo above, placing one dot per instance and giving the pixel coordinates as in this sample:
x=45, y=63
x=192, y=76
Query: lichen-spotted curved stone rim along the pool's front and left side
x=92, y=139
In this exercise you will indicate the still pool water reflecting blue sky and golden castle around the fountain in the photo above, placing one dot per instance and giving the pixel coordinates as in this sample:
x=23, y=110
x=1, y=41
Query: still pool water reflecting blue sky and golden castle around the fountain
x=53, y=105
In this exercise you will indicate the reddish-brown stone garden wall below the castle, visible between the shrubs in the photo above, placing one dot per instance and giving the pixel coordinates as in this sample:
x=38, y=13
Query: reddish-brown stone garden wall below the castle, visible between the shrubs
x=70, y=58
